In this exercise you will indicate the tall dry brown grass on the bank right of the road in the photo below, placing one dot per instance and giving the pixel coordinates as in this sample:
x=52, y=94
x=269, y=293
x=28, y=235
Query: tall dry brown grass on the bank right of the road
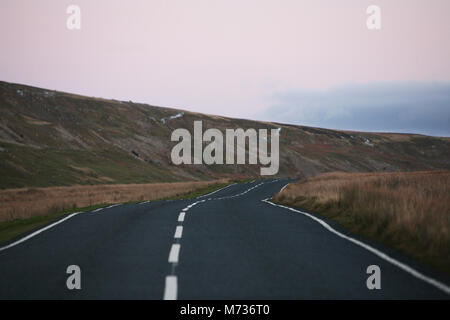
x=409, y=211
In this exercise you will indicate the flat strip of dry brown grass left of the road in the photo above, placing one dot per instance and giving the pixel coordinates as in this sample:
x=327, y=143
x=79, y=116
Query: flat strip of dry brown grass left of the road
x=29, y=202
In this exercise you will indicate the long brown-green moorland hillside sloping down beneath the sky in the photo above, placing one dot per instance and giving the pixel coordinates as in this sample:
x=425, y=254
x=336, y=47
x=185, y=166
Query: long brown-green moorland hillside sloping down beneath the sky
x=50, y=138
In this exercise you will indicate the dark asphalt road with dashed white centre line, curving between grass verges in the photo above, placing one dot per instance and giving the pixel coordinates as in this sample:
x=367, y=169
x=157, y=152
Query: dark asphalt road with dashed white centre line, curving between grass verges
x=232, y=245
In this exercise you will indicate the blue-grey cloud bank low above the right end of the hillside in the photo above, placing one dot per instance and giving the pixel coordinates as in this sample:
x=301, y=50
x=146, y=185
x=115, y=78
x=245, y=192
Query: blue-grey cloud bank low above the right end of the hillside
x=393, y=107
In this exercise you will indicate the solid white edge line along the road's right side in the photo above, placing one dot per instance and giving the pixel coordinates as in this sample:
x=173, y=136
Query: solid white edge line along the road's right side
x=439, y=285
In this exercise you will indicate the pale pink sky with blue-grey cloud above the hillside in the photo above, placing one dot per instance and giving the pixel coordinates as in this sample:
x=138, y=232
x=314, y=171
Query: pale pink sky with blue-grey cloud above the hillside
x=309, y=62
